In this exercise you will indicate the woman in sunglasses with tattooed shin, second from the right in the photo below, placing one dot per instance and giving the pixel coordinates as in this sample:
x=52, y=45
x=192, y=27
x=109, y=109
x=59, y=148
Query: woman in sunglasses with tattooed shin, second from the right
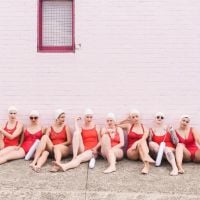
x=159, y=133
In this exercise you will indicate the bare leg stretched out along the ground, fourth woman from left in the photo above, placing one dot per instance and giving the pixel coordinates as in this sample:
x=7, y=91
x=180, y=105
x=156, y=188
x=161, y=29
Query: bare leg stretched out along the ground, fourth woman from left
x=83, y=157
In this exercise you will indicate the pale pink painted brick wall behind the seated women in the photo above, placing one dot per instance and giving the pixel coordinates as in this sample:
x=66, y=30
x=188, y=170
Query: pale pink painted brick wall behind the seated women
x=141, y=54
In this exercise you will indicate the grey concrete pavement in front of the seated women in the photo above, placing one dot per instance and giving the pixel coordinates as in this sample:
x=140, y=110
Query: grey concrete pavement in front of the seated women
x=18, y=181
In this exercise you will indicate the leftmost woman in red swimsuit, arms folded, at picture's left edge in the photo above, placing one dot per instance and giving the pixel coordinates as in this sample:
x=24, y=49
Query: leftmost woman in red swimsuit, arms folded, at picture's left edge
x=10, y=135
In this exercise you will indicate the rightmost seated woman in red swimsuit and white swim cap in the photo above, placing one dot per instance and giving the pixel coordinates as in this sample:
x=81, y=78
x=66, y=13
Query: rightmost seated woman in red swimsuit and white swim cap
x=187, y=149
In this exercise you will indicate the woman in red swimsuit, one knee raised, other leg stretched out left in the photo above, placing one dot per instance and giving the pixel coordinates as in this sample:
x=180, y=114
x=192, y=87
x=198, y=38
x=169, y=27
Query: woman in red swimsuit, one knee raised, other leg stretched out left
x=85, y=142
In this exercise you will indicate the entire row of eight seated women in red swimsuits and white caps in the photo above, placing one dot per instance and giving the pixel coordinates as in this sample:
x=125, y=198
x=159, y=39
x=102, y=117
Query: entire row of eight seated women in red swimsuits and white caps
x=89, y=141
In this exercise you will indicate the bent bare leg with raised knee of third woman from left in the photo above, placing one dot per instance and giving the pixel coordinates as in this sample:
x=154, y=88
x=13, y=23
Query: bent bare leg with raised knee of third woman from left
x=45, y=143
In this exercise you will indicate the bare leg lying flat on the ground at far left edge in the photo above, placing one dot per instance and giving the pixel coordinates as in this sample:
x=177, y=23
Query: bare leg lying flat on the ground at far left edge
x=12, y=155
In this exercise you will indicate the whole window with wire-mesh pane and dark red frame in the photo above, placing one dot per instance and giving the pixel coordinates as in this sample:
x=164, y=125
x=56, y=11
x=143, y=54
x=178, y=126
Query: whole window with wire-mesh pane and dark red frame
x=56, y=26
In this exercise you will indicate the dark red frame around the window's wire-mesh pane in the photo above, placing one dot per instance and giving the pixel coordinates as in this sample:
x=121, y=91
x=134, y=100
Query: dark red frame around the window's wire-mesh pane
x=42, y=48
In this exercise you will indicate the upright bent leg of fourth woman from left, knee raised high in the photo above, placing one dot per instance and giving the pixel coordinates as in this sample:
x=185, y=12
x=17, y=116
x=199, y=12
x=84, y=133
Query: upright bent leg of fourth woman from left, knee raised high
x=77, y=144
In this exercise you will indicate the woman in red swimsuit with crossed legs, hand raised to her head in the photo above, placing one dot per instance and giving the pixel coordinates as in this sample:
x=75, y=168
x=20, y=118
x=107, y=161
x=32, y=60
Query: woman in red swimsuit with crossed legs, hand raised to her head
x=137, y=140
